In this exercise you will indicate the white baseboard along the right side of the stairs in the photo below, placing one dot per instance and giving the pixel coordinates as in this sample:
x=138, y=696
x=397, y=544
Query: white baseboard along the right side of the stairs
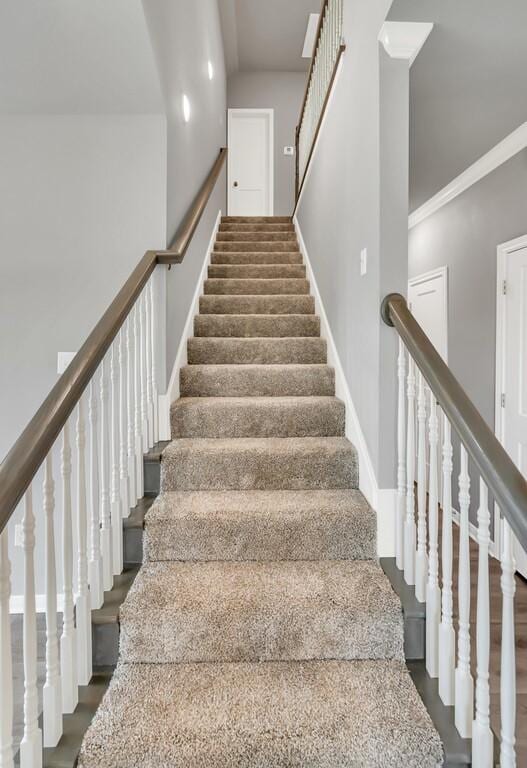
x=382, y=500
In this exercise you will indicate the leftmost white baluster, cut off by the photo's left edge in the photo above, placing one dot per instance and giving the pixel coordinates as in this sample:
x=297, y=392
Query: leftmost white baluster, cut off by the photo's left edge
x=6, y=662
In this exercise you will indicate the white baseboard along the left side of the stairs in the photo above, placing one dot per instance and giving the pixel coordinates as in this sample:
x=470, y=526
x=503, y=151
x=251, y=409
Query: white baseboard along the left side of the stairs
x=172, y=393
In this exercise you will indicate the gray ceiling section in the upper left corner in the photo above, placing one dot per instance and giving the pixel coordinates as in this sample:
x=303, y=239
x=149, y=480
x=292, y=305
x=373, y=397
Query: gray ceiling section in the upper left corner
x=76, y=56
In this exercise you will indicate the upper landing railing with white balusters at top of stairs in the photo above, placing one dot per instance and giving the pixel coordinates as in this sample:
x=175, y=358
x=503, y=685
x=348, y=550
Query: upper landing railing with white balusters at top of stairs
x=327, y=51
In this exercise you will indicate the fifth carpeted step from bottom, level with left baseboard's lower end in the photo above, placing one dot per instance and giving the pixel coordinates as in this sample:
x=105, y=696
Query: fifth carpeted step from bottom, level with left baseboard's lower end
x=231, y=417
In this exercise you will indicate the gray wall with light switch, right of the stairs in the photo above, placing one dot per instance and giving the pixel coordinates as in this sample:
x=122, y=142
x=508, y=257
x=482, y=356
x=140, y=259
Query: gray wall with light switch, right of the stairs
x=341, y=212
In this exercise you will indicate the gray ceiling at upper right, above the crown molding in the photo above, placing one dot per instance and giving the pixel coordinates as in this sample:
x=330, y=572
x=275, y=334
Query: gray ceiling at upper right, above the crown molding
x=468, y=86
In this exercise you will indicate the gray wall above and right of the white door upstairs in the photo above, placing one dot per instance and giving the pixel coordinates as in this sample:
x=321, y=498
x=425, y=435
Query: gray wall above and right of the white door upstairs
x=283, y=92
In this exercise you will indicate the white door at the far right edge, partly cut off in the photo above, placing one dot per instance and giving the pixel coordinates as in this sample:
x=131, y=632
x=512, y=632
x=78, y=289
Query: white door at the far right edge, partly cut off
x=513, y=279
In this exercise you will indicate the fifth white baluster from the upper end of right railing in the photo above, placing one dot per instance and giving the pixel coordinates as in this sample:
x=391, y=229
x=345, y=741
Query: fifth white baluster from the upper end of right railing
x=446, y=628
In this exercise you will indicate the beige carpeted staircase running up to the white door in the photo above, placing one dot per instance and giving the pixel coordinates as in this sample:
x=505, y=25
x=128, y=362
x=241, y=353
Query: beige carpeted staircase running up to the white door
x=261, y=631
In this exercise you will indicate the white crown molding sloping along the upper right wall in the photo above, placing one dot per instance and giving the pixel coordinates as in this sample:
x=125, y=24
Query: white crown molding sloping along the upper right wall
x=510, y=146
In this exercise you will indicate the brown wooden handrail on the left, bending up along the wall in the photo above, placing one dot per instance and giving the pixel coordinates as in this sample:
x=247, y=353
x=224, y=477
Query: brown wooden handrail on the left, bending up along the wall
x=29, y=451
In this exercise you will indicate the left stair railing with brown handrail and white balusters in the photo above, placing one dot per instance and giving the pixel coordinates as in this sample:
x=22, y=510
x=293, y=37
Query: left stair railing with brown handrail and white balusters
x=103, y=415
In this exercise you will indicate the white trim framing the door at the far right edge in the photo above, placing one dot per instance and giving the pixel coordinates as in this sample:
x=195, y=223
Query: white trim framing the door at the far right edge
x=503, y=252
